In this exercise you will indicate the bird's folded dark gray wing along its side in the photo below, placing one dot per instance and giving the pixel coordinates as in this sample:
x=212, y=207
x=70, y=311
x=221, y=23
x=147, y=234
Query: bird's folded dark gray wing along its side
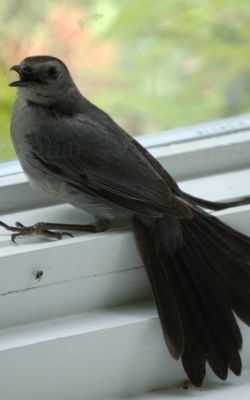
x=102, y=160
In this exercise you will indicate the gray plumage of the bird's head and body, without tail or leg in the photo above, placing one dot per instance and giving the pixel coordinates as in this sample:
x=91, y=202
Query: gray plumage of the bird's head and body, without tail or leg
x=54, y=123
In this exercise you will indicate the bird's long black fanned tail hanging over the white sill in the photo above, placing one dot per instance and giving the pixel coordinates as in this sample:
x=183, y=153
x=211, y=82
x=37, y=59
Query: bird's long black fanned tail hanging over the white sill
x=199, y=270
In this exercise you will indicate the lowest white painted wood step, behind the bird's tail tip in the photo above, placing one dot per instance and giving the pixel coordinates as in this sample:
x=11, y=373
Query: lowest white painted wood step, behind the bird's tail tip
x=113, y=354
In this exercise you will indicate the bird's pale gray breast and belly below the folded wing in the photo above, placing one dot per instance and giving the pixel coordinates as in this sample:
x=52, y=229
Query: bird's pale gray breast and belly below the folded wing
x=26, y=122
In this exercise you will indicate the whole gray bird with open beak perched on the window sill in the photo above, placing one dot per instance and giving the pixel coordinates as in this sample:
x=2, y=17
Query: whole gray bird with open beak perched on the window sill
x=197, y=266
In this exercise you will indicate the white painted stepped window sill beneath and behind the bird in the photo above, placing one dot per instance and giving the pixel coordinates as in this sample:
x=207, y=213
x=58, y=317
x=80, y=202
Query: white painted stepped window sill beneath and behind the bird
x=88, y=329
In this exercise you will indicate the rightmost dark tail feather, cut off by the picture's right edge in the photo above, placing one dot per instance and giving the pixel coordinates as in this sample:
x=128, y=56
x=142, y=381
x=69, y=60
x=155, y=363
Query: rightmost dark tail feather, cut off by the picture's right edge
x=229, y=266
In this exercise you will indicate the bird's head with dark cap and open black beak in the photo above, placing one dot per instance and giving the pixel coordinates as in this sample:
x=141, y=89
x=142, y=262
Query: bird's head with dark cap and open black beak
x=43, y=79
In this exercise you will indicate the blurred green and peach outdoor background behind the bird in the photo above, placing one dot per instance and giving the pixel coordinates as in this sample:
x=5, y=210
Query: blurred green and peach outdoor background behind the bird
x=152, y=65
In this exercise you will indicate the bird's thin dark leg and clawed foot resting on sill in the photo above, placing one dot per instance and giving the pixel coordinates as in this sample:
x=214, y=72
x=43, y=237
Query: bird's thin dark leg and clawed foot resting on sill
x=54, y=230
